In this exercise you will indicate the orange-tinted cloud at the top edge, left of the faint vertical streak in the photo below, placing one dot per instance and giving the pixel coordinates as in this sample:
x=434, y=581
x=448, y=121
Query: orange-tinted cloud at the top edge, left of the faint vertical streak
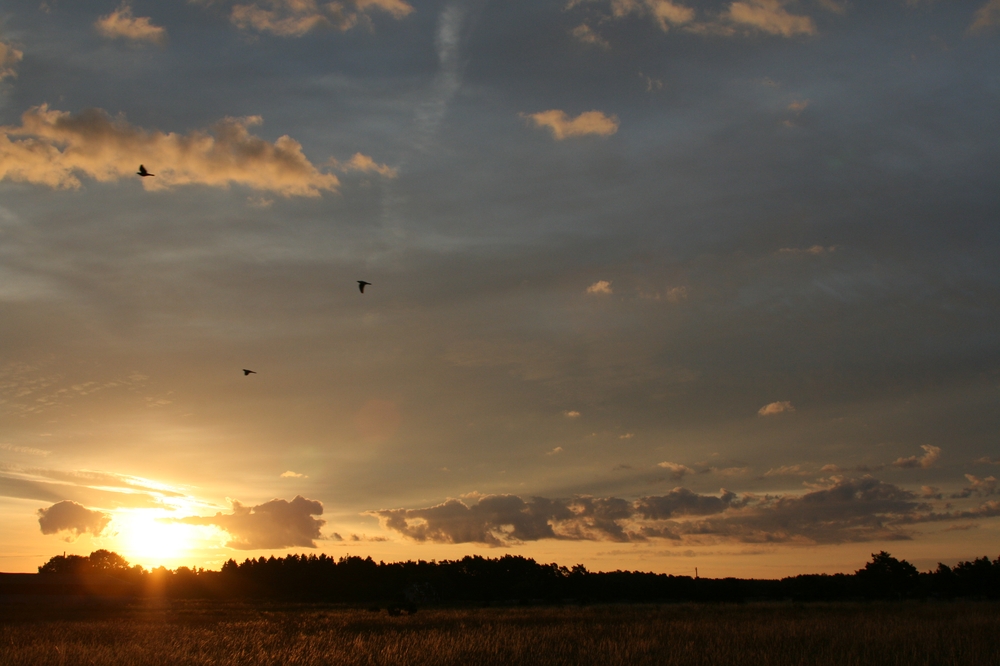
x=294, y=18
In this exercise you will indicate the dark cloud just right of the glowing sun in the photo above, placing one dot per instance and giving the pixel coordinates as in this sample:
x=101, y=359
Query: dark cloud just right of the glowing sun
x=275, y=524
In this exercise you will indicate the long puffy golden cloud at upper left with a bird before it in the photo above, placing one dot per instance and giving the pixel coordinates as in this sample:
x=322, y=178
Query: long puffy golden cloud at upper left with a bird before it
x=53, y=148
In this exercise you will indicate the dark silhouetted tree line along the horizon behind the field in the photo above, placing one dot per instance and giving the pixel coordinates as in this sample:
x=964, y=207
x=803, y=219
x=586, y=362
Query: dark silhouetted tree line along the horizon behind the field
x=479, y=580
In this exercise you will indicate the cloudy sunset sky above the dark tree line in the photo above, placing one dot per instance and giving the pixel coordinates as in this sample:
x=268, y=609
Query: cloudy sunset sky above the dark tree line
x=655, y=284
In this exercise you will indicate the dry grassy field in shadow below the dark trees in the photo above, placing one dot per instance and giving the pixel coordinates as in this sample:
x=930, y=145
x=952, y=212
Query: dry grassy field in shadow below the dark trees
x=171, y=633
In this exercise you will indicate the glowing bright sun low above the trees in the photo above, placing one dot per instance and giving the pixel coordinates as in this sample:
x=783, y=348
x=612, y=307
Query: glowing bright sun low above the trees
x=145, y=538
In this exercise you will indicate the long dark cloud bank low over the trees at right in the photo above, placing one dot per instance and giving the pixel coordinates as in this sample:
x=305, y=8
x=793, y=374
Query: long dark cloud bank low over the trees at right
x=845, y=511
